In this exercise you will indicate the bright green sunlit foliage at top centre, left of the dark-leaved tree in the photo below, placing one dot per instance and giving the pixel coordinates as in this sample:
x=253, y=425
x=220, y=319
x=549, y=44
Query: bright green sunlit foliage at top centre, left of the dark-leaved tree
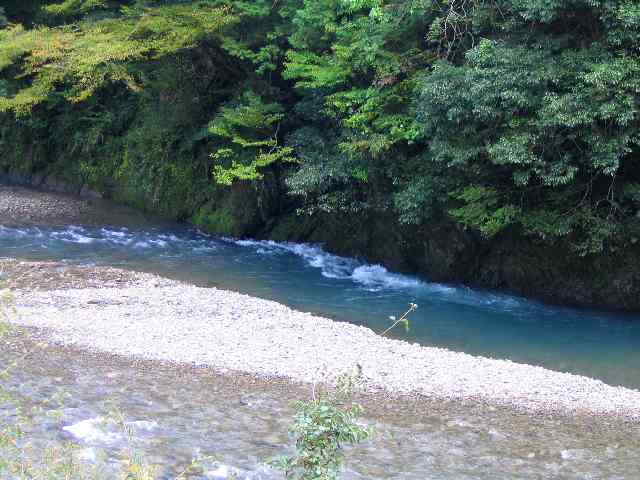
x=367, y=74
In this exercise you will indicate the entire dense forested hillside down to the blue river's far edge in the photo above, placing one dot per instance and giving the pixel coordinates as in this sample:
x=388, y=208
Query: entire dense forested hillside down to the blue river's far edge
x=489, y=141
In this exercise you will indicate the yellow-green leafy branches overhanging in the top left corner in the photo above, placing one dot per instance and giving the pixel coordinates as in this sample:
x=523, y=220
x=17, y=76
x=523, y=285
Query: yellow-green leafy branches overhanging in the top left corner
x=93, y=54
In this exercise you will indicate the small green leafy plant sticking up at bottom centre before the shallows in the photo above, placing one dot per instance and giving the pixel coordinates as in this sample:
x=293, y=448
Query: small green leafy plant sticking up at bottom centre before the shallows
x=321, y=428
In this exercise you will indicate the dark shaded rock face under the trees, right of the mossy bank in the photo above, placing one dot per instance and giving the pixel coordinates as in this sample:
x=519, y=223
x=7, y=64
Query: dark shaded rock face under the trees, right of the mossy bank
x=444, y=252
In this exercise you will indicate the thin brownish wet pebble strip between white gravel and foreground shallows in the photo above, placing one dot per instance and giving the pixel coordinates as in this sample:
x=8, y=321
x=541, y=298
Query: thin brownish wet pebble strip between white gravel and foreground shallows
x=393, y=406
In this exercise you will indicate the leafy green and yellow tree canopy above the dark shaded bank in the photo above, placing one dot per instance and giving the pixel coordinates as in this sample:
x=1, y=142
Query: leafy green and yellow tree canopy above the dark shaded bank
x=497, y=114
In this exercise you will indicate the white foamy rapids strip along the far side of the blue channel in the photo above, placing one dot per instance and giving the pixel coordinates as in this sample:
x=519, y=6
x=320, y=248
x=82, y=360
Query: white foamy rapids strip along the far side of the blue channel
x=187, y=243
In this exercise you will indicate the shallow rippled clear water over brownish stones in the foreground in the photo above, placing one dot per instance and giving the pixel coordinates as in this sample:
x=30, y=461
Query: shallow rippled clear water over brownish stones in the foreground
x=184, y=412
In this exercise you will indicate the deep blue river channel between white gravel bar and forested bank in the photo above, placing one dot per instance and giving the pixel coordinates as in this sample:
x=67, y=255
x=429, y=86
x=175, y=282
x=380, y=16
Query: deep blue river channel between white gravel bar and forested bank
x=596, y=344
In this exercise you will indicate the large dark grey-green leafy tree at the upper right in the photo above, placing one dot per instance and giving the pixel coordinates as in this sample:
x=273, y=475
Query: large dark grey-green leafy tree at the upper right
x=536, y=129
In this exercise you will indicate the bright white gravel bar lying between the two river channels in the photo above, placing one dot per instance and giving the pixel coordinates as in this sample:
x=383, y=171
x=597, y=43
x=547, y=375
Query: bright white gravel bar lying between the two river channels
x=152, y=318
